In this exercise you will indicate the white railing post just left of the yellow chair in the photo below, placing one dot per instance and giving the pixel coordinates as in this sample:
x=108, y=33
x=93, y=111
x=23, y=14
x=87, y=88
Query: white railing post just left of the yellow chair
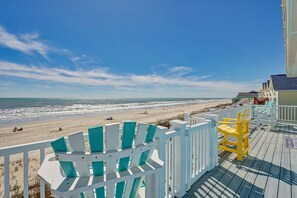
x=213, y=120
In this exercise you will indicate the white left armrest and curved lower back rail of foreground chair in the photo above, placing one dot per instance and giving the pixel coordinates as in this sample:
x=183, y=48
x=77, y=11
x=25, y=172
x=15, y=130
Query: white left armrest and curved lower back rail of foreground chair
x=51, y=173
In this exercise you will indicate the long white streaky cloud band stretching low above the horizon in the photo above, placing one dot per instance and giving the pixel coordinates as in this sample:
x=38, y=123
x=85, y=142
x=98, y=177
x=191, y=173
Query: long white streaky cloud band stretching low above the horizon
x=102, y=77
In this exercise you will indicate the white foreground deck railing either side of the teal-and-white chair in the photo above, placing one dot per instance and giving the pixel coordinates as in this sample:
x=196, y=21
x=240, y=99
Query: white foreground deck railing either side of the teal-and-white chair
x=187, y=150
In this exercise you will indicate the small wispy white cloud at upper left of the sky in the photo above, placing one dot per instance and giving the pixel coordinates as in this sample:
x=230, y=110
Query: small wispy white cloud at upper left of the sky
x=26, y=43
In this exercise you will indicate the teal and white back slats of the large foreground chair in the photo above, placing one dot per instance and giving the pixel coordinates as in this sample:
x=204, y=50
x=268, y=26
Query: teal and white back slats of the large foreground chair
x=116, y=139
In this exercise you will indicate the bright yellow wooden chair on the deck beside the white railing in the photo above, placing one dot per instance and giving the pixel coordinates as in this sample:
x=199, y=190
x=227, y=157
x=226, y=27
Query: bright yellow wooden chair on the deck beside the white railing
x=238, y=129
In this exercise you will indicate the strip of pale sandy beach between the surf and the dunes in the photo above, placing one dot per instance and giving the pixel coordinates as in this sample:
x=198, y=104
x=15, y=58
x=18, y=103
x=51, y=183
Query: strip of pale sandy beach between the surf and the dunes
x=49, y=129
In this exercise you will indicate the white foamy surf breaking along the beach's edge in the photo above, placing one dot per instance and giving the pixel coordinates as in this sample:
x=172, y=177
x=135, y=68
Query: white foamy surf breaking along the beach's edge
x=12, y=115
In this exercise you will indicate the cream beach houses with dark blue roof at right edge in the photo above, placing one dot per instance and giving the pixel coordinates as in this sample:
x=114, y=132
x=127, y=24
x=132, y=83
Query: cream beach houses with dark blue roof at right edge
x=281, y=89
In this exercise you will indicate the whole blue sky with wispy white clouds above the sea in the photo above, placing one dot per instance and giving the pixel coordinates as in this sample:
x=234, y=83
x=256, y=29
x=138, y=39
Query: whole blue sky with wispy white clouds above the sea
x=116, y=49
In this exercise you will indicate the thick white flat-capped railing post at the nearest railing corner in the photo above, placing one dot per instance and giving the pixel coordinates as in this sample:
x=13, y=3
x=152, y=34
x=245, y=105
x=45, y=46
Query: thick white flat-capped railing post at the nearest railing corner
x=180, y=171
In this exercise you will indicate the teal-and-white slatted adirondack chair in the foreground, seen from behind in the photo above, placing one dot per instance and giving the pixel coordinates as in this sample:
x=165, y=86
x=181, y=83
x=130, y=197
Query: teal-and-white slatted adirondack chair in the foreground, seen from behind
x=114, y=165
